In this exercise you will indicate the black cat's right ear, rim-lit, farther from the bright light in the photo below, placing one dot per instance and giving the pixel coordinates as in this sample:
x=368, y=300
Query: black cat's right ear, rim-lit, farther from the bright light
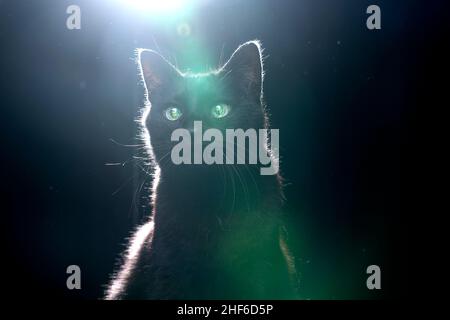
x=245, y=67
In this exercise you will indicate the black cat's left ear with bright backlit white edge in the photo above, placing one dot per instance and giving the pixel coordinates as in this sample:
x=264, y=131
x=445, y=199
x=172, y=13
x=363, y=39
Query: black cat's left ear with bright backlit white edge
x=155, y=69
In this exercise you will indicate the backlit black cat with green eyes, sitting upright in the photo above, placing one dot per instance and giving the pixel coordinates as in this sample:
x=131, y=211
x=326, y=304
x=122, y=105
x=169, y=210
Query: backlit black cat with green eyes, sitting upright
x=216, y=231
